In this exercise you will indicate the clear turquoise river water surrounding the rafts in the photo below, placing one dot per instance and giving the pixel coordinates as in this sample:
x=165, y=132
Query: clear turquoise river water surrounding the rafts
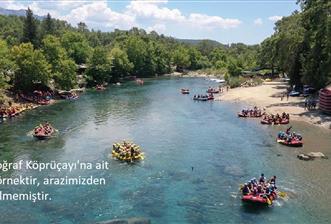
x=175, y=134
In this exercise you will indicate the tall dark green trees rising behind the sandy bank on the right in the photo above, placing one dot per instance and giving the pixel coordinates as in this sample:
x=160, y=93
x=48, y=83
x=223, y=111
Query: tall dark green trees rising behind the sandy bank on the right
x=301, y=45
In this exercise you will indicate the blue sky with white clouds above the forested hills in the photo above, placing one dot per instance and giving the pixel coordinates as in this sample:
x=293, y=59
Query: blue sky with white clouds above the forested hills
x=226, y=21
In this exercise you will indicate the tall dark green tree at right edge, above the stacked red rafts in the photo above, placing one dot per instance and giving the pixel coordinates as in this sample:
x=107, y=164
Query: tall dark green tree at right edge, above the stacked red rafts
x=316, y=56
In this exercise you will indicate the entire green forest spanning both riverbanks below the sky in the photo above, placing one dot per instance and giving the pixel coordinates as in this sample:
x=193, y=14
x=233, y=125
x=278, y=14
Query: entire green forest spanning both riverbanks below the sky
x=48, y=52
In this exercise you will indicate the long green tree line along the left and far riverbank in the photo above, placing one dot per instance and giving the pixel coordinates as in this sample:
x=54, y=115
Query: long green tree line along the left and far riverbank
x=48, y=51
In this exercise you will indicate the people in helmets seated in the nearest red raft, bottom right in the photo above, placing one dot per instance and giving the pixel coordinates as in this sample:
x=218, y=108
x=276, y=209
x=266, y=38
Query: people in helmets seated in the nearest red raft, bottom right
x=261, y=187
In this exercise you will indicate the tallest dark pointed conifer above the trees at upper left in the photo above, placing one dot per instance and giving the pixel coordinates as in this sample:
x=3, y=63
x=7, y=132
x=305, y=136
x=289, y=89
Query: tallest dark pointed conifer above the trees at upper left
x=30, y=28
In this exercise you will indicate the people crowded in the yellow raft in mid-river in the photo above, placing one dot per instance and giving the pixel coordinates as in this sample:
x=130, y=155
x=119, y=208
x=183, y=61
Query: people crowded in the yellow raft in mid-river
x=127, y=151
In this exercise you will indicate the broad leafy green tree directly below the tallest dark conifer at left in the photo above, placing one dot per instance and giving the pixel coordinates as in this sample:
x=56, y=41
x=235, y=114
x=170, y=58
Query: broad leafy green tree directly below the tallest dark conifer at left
x=31, y=67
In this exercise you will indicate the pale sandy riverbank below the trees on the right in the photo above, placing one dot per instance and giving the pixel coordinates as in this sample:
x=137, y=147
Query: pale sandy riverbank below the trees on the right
x=268, y=96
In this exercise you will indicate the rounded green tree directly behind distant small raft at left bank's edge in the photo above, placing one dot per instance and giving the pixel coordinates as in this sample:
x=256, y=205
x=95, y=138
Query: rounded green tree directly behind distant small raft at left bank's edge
x=99, y=67
